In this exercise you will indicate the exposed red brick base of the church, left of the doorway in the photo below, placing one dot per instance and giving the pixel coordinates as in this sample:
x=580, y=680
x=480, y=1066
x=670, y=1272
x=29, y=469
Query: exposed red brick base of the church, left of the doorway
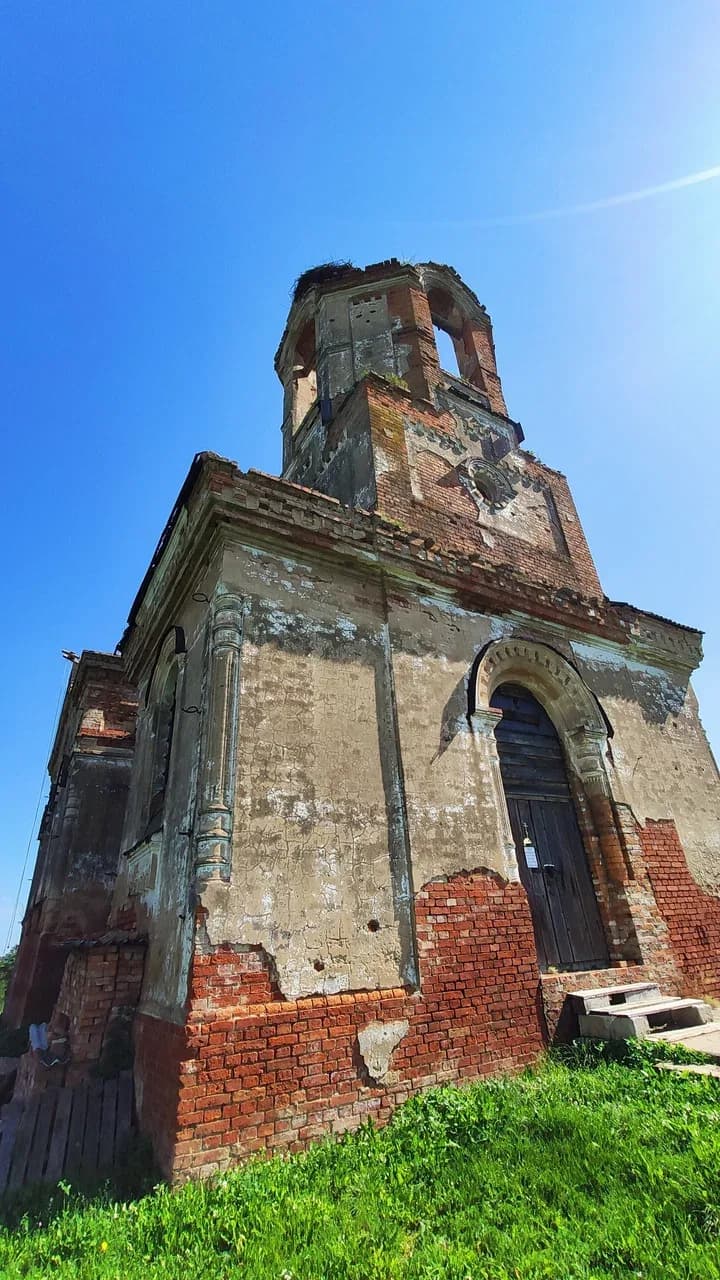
x=263, y=1073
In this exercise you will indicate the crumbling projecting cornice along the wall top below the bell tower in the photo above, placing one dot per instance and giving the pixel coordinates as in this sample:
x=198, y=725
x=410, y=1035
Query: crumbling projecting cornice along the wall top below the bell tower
x=267, y=511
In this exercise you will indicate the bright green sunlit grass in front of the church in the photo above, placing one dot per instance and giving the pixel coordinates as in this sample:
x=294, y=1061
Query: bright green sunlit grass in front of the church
x=582, y=1168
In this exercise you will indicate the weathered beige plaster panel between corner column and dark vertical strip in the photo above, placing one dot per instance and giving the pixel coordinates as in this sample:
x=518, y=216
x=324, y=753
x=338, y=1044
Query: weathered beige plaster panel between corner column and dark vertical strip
x=318, y=872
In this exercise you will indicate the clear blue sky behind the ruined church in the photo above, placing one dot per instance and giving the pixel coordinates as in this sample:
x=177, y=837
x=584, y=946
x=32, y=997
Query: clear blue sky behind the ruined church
x=167, y=171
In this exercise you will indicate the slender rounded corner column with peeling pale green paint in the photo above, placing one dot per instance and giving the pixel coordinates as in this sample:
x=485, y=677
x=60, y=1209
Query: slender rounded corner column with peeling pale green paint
x=213, y=844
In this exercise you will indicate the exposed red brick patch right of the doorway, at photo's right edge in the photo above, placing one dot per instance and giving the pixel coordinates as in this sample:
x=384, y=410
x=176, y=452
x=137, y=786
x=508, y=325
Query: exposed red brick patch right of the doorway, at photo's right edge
x=691, y=915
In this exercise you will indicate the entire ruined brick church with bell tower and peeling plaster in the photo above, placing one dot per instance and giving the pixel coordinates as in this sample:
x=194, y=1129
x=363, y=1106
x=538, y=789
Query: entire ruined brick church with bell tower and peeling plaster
x=402, y=778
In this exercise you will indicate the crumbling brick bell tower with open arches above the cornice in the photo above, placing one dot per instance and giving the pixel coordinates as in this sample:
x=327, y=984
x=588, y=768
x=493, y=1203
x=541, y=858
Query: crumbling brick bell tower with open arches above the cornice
x=372, y=419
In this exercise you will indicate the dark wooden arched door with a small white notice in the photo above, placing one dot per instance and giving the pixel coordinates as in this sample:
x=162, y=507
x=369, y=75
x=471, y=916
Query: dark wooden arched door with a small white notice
x=552, y=856
